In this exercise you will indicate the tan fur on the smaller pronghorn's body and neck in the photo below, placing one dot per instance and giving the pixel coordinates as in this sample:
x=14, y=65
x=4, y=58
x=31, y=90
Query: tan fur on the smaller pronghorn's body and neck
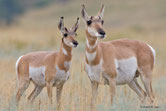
x=47, y=59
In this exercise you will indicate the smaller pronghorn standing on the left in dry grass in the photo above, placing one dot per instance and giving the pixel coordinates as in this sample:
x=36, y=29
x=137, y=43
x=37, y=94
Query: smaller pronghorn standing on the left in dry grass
x=47, y=69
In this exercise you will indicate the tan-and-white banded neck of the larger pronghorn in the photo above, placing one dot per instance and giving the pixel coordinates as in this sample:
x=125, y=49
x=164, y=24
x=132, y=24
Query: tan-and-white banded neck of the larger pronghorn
x=92, y=50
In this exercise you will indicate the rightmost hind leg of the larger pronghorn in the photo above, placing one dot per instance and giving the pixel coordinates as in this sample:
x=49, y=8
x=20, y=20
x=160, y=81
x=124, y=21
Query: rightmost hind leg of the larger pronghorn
x=147, y=84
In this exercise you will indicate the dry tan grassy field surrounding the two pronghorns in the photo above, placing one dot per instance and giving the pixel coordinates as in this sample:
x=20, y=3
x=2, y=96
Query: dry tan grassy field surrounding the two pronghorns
x=37, y=30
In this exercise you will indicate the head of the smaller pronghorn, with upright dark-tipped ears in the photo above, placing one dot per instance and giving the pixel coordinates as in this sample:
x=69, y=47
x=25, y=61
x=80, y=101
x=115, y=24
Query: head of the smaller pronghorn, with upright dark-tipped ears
x=69, y=34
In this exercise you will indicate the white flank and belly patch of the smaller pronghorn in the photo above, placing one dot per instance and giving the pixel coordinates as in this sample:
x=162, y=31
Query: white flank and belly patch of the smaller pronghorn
x=37, y=74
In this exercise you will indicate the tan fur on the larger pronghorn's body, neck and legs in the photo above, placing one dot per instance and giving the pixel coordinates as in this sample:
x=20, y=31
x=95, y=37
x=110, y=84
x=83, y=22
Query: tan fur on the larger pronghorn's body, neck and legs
x=121, y=49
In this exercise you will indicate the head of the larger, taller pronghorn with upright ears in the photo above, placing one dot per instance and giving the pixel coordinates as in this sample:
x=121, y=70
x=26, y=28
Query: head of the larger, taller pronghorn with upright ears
x=94, y=23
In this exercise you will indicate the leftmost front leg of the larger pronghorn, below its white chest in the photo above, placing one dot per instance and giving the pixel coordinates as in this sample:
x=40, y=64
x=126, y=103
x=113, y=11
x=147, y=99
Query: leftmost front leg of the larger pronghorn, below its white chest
x=94, y=94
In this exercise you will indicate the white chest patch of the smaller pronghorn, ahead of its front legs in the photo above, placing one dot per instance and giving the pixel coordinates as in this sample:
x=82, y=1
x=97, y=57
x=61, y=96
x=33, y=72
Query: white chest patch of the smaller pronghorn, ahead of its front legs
x=61, y=74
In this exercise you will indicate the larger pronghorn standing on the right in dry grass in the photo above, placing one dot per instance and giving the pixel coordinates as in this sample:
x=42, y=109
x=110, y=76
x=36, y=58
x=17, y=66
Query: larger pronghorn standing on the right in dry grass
x=119, y=61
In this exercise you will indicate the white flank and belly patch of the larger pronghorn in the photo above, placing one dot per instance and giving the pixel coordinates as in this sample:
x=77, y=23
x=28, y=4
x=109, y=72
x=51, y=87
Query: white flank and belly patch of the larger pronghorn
x=126, y=69
